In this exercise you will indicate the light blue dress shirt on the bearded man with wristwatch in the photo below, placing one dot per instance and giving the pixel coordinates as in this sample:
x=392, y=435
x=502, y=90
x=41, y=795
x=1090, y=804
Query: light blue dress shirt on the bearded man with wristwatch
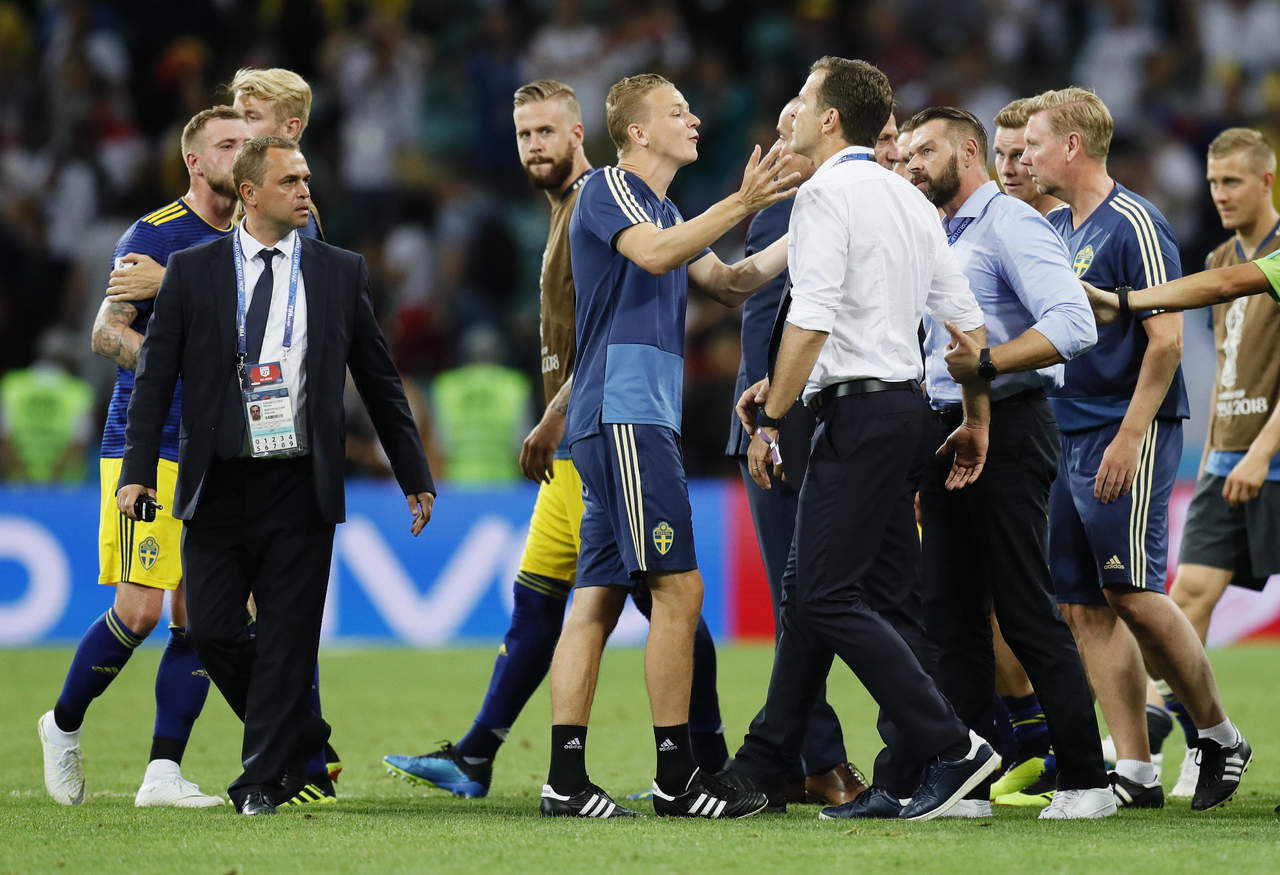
x=1018, y=269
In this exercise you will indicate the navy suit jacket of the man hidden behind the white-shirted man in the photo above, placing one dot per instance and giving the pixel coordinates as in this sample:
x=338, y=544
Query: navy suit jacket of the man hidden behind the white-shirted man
x=758, y=314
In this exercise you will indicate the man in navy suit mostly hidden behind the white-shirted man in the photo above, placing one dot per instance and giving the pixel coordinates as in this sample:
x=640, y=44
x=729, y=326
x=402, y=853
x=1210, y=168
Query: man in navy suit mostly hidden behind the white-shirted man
x=821, y=772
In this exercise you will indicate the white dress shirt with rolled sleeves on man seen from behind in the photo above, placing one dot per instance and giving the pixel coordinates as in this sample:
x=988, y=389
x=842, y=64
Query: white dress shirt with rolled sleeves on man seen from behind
x=868, y=258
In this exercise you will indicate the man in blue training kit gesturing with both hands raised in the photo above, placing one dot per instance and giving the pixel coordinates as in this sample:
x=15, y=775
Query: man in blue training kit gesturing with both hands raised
x=634, y=259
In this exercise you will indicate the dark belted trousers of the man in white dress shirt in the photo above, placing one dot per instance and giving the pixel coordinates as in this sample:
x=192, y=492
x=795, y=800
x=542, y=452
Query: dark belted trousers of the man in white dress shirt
x=853, y=592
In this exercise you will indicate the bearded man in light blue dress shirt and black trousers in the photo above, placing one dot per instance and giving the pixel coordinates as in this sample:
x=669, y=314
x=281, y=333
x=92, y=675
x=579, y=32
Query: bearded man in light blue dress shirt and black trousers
x=985, y=547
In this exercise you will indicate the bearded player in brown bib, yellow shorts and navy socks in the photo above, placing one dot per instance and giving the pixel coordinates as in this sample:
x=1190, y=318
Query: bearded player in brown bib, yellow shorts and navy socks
x=550, y=141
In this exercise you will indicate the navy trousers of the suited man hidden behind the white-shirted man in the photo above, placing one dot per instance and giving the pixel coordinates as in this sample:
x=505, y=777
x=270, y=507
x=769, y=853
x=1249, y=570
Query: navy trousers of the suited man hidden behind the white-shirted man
x=775, y=516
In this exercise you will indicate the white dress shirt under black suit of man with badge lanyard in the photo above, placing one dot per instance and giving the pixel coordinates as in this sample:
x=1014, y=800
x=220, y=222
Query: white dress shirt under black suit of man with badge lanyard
x=273, y=340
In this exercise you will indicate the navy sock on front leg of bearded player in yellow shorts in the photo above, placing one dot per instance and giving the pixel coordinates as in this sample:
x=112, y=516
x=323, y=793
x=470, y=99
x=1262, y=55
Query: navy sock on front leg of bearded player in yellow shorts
x=524, y=659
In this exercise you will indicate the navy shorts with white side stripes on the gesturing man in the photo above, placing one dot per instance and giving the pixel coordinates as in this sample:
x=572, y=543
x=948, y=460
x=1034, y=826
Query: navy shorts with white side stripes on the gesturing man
x=637, y=517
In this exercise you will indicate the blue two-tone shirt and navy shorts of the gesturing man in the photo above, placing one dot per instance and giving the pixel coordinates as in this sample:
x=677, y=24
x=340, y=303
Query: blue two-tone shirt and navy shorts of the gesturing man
x=624, y=420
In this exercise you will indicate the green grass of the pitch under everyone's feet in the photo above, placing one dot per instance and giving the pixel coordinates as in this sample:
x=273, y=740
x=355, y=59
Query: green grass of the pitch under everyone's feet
x=403, y=702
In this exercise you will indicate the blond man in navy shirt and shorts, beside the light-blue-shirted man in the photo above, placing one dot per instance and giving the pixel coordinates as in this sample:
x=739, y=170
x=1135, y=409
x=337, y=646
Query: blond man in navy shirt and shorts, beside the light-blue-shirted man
x=1121, y=413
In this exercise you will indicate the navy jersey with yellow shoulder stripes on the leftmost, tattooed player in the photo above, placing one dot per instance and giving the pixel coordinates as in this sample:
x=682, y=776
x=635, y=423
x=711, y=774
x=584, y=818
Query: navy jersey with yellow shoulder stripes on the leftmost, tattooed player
x=158, y=235
